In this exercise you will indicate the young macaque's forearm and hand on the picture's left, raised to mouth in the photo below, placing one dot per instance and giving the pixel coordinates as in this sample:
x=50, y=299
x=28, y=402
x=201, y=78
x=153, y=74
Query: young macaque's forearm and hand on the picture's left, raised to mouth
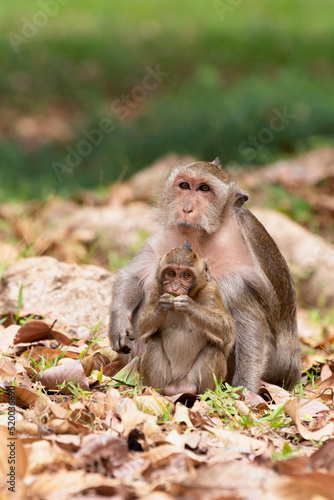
x=153, y=316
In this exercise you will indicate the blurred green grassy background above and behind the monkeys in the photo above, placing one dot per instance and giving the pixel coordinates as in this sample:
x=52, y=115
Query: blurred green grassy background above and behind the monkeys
x=74, y=72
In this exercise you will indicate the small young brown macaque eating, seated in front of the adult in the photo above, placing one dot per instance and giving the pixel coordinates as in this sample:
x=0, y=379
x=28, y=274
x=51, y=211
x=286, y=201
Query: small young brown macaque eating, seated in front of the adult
x=185, y=326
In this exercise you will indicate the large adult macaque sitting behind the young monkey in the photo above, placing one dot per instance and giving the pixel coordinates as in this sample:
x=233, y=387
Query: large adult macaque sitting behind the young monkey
x=201, y=202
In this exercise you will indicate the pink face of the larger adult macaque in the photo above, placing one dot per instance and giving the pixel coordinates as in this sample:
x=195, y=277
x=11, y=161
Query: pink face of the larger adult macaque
x=194, y=197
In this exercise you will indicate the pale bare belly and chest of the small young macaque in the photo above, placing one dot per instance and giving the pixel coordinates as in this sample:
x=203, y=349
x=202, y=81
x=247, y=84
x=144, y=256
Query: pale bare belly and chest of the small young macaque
x=182, y=341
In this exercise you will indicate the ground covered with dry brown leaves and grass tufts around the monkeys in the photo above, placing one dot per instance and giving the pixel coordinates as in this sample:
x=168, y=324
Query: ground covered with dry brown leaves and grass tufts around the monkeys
x=73, y=424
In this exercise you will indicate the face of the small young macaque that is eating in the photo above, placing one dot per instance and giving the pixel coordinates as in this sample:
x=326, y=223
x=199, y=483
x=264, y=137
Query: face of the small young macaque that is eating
x=177, y=279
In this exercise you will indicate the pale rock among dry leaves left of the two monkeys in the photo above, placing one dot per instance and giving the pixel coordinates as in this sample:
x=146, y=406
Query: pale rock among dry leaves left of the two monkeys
x=77, y=296
